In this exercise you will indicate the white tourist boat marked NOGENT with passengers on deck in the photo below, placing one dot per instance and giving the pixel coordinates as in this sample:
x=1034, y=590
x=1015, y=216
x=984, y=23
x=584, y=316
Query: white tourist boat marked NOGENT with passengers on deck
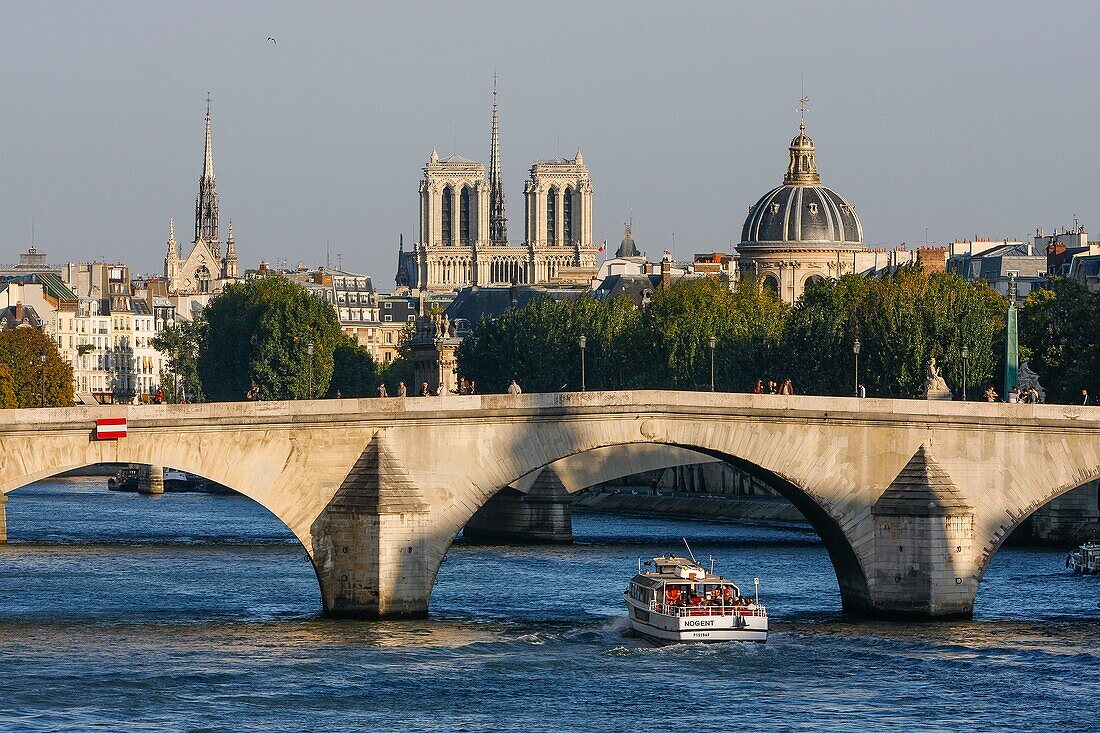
x=675, y=599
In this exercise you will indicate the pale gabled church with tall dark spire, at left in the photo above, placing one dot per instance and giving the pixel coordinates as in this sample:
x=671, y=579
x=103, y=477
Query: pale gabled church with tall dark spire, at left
x=205, y=270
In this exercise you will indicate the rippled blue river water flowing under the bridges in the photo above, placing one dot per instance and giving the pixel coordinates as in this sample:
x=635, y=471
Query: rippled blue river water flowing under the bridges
x=191, y=612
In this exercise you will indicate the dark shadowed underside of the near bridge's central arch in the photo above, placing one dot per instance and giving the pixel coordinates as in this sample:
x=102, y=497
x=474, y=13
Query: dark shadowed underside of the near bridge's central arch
x=852, y=577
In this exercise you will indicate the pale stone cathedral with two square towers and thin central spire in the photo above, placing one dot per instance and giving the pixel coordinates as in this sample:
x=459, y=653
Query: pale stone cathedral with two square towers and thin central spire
x=465, y=232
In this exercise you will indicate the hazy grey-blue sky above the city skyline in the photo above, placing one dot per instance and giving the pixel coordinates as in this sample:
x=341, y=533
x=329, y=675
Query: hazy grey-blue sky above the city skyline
x=937, y=121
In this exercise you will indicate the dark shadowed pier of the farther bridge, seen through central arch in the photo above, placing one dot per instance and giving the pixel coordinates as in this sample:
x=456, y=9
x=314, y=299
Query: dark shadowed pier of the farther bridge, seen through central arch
x=543, y=516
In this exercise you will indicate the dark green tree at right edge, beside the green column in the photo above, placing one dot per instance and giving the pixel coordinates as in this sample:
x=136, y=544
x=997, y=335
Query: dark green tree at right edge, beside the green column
x=1060, y=331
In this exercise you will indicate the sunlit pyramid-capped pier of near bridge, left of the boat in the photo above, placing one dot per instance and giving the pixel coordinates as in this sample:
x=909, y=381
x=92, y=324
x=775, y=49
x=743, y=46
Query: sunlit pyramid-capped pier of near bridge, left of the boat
x=371, y=545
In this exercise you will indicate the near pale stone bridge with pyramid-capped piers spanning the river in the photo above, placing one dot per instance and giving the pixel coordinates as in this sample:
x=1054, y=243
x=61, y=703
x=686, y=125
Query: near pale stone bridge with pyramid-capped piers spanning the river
x=912, y=499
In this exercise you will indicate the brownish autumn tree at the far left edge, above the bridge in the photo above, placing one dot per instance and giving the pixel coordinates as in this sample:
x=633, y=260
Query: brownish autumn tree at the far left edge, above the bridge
x=28, y=379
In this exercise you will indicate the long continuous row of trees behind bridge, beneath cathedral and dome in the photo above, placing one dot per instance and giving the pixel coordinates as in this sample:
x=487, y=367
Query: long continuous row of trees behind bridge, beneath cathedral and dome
x=901, y=322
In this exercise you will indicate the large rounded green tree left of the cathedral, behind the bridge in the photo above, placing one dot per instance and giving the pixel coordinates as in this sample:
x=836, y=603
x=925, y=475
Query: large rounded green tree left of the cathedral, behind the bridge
x=259, y=334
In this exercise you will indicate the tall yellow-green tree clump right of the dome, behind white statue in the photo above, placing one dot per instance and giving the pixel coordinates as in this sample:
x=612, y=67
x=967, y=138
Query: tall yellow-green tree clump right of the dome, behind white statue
x=901, y=321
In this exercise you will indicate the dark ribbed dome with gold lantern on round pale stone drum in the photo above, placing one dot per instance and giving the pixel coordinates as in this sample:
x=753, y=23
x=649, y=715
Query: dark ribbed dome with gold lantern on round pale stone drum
x=800, y=233
